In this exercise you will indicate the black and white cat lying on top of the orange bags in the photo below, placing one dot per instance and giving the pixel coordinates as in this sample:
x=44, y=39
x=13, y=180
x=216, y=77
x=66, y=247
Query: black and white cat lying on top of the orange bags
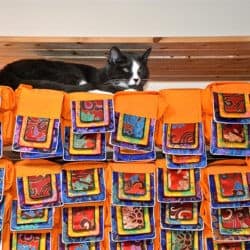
x=123, y=71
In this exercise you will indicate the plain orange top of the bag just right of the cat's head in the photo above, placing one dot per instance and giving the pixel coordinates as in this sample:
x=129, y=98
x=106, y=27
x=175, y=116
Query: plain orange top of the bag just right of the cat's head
x=178, y=106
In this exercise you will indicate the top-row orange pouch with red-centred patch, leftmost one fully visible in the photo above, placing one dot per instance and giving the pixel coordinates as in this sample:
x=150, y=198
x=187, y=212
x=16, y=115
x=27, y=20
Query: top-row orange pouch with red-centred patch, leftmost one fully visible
x=37, y=126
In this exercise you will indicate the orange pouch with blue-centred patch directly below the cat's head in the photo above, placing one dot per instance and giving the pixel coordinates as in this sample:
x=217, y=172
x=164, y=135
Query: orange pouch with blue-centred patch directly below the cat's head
x=136, y=115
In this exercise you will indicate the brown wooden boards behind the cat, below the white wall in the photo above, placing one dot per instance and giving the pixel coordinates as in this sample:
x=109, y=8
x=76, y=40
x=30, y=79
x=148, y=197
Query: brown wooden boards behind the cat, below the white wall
x=172, y=58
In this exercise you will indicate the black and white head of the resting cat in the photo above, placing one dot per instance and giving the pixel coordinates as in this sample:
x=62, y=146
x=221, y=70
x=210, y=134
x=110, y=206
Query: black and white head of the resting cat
x=127, y=70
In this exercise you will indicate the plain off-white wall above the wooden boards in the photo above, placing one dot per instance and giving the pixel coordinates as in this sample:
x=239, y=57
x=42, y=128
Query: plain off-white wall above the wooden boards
x=124, y=17
